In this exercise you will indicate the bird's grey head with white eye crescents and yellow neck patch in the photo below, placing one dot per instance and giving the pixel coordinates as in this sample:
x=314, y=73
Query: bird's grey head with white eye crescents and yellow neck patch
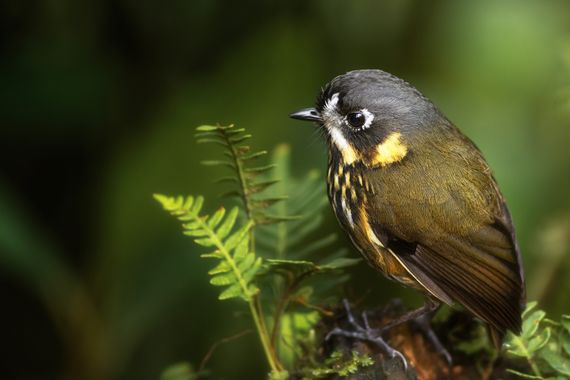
x=371, y=116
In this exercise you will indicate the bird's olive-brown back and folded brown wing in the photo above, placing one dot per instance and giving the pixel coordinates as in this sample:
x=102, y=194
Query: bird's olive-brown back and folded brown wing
x=449, y=226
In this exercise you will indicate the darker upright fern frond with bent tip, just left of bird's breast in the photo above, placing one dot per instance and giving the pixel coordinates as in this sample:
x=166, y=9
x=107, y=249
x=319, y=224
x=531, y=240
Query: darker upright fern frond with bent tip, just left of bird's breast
x=239, y=158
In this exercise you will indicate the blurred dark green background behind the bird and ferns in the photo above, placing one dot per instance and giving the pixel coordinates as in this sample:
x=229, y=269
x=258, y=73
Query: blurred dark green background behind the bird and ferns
x=98, y=103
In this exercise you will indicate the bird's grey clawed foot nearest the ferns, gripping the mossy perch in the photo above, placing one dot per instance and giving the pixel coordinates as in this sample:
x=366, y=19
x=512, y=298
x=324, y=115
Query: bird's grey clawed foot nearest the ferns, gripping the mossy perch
x=367, y=334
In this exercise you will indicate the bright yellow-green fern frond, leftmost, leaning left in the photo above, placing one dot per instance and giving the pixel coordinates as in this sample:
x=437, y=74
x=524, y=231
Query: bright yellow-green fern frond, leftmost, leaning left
x=237, y=265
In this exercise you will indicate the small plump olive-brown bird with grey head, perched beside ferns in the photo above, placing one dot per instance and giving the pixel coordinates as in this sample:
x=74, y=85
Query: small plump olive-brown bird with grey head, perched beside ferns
x=417, y=198
